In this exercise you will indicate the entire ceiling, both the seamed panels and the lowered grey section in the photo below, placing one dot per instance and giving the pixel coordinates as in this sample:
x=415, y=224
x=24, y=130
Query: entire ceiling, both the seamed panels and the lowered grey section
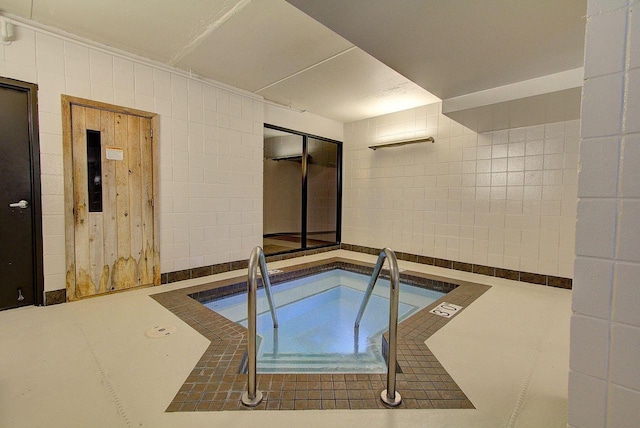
x=271, y=48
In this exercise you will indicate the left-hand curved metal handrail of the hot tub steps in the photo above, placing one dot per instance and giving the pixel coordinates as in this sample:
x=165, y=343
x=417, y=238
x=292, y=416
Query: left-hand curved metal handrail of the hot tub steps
x=252, y=397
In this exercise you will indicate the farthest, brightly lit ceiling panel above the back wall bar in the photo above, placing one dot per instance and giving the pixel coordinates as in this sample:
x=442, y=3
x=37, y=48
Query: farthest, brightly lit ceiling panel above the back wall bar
x=350, y=87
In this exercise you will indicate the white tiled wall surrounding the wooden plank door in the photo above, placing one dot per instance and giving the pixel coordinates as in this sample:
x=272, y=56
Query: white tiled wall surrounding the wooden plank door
x=210, y=195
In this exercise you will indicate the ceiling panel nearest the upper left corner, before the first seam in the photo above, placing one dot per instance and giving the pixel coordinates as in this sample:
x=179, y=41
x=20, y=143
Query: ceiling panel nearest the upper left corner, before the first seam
x=153, y=29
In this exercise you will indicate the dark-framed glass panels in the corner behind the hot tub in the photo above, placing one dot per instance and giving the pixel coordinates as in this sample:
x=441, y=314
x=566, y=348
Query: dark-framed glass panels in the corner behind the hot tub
x=302, y=191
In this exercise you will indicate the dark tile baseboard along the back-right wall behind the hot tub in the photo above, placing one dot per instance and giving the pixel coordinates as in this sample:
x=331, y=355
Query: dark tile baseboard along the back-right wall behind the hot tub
x=533, y=278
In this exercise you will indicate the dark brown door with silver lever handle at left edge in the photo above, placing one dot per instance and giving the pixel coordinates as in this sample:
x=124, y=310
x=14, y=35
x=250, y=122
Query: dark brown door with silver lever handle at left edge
x=18, y=271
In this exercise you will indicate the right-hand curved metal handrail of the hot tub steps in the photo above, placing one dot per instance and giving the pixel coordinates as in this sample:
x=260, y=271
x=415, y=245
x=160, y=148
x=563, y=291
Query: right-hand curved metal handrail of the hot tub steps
x=389, y=396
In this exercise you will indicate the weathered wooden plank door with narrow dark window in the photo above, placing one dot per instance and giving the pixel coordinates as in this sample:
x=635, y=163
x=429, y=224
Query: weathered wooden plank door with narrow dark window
x=114, y=235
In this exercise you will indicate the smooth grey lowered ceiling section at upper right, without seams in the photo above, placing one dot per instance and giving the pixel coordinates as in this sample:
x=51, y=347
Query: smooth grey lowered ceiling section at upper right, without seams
x=456, y=47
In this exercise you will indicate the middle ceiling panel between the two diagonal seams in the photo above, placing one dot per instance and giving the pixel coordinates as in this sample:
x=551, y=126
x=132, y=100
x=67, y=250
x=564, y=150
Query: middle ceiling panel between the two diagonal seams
x=266, y=42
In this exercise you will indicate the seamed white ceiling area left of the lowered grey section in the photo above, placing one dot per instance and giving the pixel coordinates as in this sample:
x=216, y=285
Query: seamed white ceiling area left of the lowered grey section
x=263, y=46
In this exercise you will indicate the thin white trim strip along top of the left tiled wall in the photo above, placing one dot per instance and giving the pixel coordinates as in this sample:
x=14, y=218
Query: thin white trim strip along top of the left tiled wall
x=110, y=50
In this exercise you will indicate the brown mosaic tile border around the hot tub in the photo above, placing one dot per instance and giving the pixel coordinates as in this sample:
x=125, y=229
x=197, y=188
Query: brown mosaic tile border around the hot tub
x=215, y=384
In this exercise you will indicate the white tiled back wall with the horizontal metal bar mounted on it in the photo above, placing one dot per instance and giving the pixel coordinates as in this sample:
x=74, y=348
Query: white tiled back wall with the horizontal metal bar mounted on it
x=504, y=198
